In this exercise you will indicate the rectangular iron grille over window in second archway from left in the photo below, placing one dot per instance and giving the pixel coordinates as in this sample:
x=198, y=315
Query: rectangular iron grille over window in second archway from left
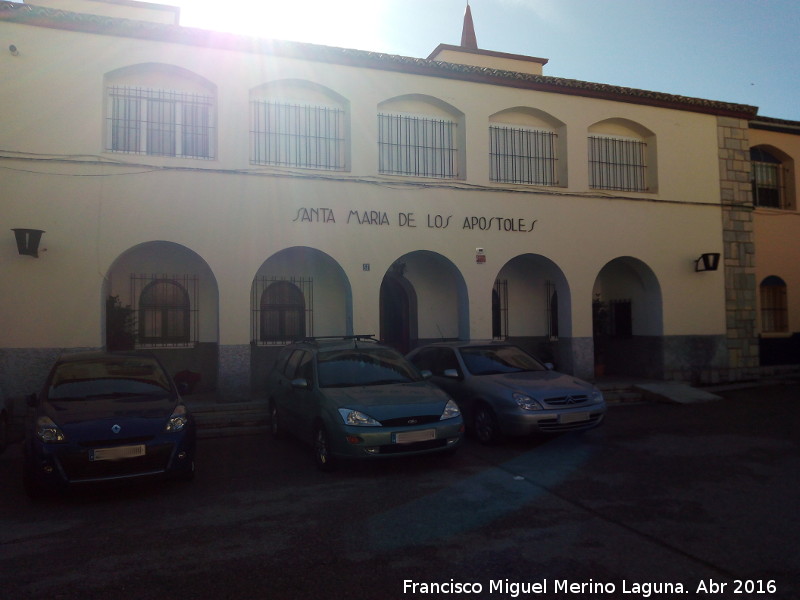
x=282, y=309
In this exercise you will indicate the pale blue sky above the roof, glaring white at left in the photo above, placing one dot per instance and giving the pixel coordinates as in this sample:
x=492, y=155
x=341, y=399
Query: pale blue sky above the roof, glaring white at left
x=743, y=51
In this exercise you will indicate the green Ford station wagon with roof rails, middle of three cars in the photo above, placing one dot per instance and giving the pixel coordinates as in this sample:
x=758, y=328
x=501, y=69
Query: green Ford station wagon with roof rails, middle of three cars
x=352, y=397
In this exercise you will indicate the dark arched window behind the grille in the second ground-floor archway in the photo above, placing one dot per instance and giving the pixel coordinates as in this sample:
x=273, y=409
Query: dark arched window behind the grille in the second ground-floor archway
x=282, y=312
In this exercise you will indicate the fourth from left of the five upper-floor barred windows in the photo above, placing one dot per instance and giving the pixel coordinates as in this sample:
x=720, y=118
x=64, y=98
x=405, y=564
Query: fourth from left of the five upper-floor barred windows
x=519, y=155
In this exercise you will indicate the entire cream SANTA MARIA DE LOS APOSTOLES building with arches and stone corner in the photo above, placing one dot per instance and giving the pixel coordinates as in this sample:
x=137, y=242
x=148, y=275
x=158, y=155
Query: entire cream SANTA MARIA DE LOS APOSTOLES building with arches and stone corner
x=211, y=197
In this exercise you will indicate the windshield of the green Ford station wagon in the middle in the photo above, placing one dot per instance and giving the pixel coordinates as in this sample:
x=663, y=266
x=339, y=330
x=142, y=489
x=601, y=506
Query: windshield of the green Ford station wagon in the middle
x=363, y=366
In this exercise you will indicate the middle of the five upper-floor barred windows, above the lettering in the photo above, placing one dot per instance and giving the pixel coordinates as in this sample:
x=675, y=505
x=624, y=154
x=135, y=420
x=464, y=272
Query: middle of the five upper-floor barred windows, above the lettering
x=419, y=146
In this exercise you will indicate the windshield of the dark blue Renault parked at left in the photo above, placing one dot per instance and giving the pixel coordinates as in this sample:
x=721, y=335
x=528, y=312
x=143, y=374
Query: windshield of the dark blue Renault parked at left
x=108, y=378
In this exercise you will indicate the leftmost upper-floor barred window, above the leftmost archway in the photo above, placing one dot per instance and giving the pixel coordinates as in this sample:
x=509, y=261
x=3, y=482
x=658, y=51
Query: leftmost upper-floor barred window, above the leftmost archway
x=160, y=122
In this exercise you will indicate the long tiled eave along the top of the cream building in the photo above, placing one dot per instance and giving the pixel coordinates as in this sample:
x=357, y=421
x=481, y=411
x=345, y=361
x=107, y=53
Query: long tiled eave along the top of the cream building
x=27, y=14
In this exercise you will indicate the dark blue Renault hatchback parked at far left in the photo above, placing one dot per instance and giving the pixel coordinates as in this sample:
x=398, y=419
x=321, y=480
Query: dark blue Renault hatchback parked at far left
x=104, y=417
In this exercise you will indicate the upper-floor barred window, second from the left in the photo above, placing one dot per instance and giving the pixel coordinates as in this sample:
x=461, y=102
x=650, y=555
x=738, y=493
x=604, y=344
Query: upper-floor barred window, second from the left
x=293, y=135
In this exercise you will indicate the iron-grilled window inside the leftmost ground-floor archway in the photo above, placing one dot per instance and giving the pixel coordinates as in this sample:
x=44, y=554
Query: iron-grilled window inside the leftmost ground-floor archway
x=166, y=309
